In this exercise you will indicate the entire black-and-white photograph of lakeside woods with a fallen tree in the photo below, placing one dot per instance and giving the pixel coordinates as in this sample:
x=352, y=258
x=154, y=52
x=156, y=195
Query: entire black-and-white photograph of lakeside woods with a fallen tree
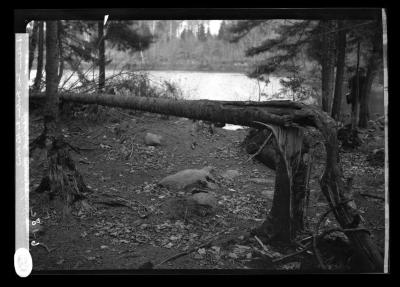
x=220, y=142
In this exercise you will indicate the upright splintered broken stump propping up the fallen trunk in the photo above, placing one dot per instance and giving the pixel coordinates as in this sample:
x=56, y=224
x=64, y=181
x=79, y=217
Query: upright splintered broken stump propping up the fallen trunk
x=286, y=216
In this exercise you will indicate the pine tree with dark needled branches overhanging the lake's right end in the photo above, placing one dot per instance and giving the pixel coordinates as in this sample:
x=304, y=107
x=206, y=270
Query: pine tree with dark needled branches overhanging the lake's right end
x=292, y=39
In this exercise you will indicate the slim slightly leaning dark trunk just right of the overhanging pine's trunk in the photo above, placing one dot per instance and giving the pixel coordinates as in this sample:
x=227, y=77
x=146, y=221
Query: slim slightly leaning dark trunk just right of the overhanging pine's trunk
x=341, y=56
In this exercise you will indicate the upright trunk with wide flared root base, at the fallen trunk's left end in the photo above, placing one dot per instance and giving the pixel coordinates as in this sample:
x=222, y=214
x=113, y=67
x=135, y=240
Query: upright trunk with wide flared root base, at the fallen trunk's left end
x=61, y=179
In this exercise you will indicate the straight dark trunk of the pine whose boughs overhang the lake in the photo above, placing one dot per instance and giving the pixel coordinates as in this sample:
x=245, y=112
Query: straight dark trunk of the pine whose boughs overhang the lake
x=328, y=65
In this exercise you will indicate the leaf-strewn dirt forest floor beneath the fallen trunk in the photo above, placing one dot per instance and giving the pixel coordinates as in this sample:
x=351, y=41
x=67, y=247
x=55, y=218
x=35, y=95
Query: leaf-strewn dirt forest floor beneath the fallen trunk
x=114, y=160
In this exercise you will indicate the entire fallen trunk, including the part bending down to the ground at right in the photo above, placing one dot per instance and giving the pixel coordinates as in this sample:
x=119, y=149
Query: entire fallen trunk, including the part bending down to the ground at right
x=279, y=113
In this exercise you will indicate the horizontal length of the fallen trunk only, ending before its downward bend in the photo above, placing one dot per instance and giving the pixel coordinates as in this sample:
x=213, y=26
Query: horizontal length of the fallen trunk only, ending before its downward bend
x=281, y=113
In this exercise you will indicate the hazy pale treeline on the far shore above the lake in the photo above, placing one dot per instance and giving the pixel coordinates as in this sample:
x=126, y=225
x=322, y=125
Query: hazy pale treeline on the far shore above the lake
x=192, y=48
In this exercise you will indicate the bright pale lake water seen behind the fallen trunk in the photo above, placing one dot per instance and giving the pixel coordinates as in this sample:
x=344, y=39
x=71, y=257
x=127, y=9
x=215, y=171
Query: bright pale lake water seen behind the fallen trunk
x=227, y=87
